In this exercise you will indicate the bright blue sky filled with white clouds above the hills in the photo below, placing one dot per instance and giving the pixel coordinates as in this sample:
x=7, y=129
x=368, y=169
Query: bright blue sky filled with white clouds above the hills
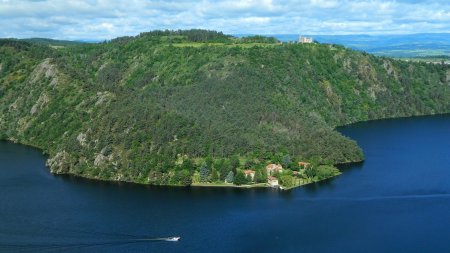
x=102, y=19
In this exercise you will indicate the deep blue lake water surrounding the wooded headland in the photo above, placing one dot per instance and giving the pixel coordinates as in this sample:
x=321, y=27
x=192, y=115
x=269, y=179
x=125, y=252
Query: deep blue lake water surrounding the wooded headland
x=398, y=200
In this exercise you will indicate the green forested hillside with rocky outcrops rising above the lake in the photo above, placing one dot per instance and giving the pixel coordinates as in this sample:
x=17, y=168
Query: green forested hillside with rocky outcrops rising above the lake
x=169, y=107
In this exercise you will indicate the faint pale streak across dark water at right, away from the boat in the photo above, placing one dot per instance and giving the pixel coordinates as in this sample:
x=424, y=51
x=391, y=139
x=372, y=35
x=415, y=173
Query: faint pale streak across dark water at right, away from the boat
x=376, y=198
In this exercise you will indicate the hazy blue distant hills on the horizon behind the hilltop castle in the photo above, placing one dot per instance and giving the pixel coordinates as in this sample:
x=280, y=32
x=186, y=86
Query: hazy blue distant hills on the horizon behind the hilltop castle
x=406, y=46
